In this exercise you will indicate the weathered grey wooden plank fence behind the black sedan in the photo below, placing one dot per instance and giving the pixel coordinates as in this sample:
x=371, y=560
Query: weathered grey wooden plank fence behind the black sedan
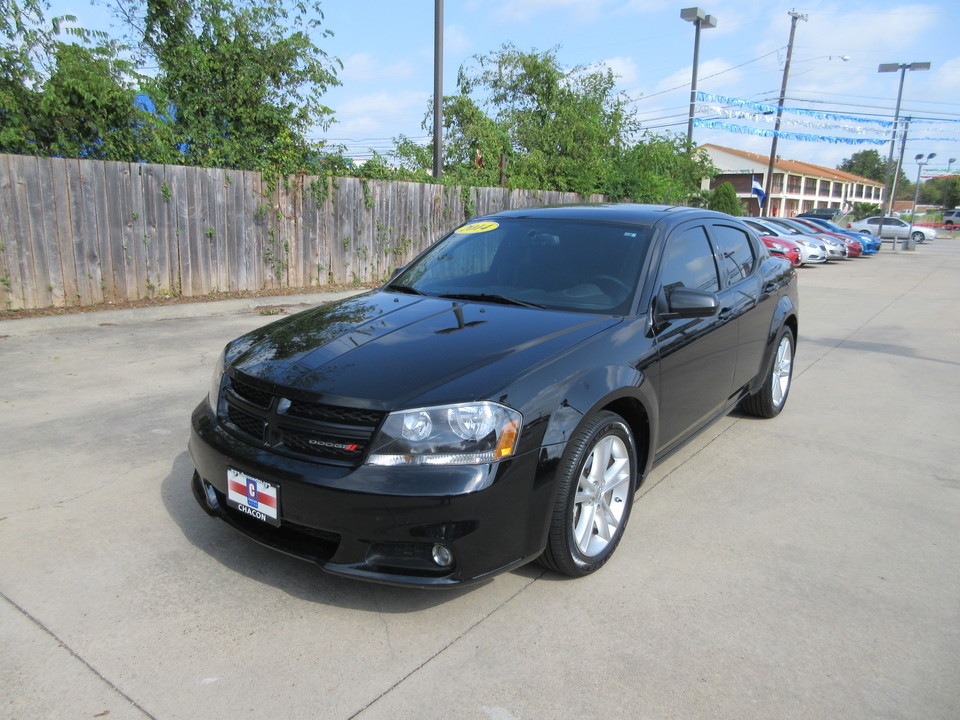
x=84, y=232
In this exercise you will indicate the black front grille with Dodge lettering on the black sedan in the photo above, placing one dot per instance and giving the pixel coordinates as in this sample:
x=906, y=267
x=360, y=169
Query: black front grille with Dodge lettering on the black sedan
x=315, y=431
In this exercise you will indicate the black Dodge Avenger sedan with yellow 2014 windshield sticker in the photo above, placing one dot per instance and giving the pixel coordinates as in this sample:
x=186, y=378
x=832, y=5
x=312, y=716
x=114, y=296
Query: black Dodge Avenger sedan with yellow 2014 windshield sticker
x=501, y=398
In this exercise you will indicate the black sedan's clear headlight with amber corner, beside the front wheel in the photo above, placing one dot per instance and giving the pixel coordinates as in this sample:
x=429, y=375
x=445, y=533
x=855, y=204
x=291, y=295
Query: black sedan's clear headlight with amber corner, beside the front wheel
x=464, y=434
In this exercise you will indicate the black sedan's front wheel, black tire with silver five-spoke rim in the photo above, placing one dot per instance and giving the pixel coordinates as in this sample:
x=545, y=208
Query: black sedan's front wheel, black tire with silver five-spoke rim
x=585, y=511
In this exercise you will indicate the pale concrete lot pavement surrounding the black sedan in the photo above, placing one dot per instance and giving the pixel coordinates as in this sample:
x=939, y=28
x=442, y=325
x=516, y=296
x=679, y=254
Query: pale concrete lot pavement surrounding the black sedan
x=804, y=567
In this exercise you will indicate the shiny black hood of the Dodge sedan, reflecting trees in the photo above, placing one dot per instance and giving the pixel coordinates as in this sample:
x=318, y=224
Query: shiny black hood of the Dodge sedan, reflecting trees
x=384, y=351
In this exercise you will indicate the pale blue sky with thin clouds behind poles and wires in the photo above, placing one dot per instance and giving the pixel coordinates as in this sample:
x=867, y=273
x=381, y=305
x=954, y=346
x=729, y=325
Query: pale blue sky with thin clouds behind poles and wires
x=386, y=47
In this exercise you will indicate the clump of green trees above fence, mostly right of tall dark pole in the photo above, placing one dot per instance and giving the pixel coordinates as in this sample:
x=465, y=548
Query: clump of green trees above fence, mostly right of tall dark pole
x=557, y=129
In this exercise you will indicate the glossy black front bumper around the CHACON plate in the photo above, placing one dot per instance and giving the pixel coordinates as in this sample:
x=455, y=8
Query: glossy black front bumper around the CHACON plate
x=382, y=523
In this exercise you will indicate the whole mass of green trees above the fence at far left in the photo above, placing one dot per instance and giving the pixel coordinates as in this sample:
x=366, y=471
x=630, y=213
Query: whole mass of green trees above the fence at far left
x=235, y=84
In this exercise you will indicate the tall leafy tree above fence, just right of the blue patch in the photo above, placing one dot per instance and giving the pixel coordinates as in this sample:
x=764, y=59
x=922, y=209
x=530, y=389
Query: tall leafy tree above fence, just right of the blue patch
x=240, y=83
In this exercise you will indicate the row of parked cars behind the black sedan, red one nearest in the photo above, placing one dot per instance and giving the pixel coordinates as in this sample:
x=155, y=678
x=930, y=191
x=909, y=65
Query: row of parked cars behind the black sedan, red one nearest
x=810, y=240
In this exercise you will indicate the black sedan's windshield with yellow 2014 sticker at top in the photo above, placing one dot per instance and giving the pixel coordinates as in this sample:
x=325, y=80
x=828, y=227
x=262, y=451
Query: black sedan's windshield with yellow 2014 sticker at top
x=555, y=264
